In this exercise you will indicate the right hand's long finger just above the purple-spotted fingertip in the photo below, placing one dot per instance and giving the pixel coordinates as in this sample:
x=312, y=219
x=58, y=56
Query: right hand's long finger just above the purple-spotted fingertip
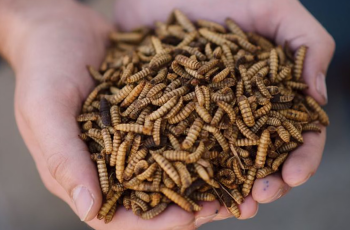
x=303, y=162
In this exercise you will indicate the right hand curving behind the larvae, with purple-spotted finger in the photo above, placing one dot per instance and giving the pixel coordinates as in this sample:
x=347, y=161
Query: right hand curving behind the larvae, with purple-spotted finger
x=279, y=20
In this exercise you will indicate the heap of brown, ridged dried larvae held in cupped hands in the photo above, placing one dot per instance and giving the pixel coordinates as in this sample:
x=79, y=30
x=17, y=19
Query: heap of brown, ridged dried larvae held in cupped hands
x=193, y=112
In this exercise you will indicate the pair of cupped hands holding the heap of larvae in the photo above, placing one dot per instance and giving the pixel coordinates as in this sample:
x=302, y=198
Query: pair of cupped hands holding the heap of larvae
x=49, y=43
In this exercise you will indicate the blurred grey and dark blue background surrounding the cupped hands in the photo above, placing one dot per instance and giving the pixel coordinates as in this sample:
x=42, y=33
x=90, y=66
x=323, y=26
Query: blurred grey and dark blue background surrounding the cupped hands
x=322, y=203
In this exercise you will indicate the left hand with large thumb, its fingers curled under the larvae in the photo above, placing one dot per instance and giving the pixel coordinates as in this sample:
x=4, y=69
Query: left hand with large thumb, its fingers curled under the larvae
x=49, y=44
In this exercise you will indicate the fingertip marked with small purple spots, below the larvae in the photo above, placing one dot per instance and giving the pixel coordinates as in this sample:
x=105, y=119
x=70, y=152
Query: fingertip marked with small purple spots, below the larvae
x=269, y=189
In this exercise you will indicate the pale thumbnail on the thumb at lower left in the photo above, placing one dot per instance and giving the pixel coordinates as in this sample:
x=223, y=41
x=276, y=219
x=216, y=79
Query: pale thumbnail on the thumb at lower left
x=83, y=201
